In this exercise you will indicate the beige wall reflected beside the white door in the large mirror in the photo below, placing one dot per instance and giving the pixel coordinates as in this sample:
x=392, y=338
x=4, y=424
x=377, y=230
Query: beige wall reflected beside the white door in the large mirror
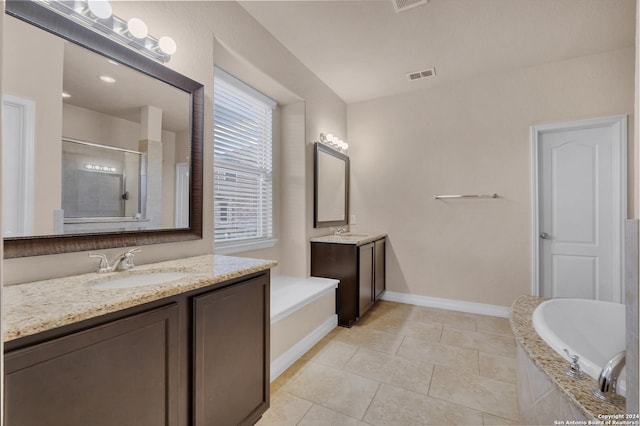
x=41, y=52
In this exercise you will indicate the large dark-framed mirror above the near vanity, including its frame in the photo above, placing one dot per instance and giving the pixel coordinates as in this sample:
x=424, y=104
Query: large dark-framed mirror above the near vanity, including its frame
x=102, y=146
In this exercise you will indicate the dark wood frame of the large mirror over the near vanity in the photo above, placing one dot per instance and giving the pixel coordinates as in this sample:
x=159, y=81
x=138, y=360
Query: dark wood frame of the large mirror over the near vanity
x=52, y=22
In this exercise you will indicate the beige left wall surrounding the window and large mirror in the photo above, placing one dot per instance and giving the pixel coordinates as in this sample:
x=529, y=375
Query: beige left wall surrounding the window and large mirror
x=195, y=25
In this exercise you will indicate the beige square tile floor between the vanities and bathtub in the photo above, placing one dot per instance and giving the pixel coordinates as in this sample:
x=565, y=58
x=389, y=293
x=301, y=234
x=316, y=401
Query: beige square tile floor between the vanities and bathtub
x=403, y=365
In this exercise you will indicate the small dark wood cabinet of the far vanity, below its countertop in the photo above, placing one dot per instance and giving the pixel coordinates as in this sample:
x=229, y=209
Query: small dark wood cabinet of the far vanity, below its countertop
x=361, y=271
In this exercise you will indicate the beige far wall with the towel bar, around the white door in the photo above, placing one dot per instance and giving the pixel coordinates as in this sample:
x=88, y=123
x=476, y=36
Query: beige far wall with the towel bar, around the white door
x=469, y=137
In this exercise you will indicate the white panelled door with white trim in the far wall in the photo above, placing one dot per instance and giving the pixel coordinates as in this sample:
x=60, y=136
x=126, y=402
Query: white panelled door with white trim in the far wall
x=581, y=200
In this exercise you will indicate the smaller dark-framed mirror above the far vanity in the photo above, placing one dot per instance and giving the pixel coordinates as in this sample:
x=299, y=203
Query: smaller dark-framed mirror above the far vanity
x=331, y=182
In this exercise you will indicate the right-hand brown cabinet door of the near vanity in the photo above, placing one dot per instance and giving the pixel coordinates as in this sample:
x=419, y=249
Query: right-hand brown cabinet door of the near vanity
x=231, y=354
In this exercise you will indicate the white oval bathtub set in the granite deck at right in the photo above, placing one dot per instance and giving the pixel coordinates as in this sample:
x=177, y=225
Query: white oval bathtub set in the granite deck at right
x=592, y=329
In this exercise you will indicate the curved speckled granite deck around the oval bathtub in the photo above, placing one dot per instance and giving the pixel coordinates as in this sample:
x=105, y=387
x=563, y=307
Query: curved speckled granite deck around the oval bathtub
x=553, y=365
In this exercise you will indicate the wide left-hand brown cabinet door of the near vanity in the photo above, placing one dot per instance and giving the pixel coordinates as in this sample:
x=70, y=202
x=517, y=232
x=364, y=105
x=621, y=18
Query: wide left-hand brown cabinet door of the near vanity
x=121, y=373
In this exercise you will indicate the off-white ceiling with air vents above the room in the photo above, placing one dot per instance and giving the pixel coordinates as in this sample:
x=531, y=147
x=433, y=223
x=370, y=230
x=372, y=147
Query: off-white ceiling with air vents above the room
x=364, y=49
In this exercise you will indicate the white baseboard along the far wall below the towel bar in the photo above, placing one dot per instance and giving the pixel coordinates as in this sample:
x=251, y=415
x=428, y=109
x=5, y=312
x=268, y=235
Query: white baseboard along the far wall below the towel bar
x=450, y=304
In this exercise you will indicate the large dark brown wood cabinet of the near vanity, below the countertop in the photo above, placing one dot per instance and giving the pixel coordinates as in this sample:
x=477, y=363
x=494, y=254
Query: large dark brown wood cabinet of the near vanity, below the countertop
x=199, y=358
